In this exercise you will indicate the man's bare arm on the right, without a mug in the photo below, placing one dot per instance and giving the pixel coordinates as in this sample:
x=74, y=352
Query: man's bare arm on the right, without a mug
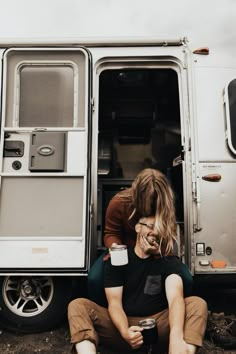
x=174, y=294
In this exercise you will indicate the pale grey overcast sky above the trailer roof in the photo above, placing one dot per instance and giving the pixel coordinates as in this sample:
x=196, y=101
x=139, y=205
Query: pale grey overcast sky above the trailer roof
x=205, y=22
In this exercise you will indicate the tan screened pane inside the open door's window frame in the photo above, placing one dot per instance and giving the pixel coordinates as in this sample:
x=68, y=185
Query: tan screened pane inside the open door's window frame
x=46, y=96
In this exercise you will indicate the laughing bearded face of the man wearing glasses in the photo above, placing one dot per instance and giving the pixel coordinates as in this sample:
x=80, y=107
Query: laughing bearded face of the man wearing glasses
x=147, y=236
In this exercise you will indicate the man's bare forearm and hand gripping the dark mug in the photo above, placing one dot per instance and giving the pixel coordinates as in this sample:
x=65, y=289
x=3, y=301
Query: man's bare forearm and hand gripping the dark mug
x=132, y=334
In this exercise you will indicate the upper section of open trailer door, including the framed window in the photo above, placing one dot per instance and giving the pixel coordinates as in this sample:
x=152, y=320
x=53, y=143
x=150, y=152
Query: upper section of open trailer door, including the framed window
x=45, y=88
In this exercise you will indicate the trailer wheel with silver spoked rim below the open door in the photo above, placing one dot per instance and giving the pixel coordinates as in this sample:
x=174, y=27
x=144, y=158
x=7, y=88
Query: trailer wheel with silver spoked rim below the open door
x=33, y=304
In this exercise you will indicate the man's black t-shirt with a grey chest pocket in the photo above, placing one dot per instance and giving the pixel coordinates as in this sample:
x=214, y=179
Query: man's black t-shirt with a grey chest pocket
x=143, y=282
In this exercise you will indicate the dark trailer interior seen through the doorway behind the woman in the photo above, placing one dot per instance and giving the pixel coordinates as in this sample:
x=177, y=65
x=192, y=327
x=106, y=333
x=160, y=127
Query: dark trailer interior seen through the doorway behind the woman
x=139, y=127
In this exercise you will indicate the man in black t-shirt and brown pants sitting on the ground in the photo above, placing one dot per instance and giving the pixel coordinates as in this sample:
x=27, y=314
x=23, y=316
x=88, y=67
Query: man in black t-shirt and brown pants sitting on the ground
x=150, y=285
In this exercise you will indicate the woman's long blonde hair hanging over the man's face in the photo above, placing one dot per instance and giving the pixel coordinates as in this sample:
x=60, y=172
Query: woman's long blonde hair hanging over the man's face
x=152, y=195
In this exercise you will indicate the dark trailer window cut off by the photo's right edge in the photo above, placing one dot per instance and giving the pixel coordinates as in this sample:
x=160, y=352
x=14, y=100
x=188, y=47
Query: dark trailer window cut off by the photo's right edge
x=231, y=115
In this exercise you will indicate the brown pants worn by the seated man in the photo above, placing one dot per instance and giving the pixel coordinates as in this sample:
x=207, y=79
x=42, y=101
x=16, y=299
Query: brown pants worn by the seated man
x=89, y=321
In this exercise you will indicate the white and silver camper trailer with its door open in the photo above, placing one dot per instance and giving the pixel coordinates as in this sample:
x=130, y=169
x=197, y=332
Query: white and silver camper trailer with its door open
x=78, y=122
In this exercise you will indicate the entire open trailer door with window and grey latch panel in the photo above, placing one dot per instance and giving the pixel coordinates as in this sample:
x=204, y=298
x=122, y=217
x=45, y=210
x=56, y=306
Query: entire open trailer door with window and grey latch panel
x=44, y=159
